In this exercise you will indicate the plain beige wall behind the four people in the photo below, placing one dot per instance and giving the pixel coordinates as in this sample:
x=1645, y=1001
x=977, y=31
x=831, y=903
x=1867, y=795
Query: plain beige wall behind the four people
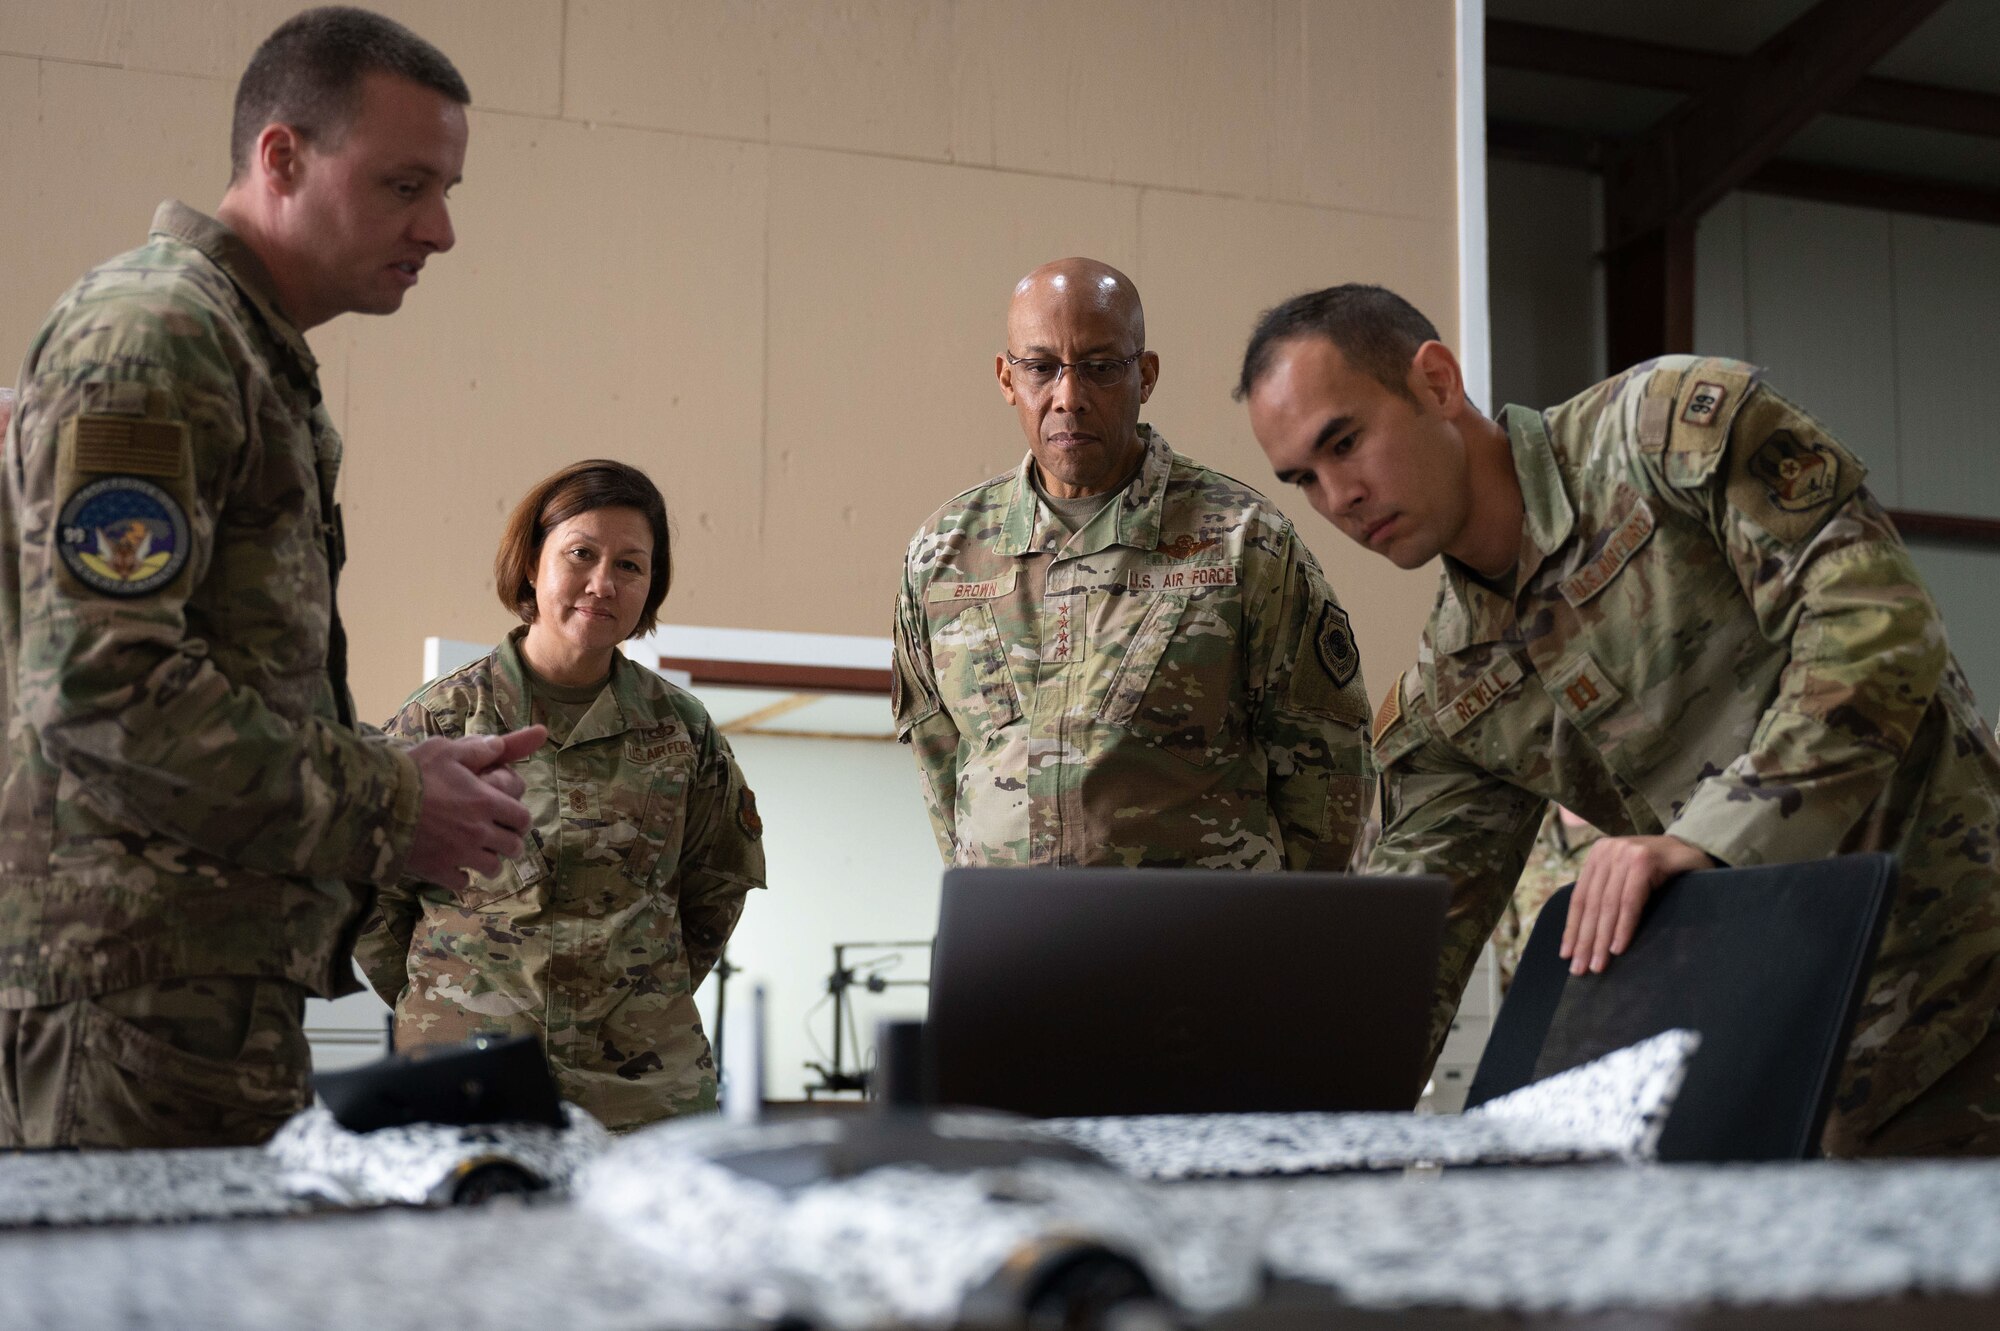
x=763, y=251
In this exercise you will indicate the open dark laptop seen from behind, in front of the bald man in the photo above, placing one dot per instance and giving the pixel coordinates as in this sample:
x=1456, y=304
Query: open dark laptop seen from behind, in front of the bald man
x=1099, y=992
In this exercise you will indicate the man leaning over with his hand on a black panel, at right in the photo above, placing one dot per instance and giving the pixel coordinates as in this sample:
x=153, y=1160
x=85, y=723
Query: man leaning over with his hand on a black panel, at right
x=1671, y=607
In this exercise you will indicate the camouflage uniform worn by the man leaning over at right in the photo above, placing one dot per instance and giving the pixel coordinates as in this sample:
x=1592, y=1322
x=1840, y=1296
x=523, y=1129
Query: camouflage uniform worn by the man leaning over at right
x=1715, y=635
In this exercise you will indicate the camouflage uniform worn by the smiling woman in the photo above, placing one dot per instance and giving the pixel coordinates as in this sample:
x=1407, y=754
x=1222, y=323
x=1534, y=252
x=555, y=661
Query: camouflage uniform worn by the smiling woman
x=625, y=894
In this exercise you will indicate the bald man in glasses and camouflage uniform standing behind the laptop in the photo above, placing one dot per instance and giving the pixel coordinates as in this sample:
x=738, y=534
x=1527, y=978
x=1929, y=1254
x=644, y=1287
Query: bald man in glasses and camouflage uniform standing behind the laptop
x=1115, y=657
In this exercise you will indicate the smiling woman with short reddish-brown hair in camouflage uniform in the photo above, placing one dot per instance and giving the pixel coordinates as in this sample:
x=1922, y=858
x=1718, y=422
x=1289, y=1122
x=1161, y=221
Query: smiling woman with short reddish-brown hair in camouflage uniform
x=645, y=832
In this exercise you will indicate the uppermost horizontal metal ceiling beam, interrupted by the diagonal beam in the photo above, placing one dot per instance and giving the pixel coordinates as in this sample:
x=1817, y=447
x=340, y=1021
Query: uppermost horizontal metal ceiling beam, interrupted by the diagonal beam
x=1685, y=69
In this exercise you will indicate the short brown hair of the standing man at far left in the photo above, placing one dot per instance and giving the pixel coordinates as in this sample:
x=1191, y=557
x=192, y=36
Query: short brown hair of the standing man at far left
x=309, y=75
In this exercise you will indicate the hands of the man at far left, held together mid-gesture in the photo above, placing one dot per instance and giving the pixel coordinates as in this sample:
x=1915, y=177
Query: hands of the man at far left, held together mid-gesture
x=471, y=814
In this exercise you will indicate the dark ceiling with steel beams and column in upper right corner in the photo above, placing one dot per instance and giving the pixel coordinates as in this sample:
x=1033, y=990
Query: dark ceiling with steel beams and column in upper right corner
x=1875, y=103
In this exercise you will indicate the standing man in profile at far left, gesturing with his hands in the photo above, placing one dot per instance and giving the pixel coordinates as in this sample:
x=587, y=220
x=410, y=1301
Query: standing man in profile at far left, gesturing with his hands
x=191, y=820
